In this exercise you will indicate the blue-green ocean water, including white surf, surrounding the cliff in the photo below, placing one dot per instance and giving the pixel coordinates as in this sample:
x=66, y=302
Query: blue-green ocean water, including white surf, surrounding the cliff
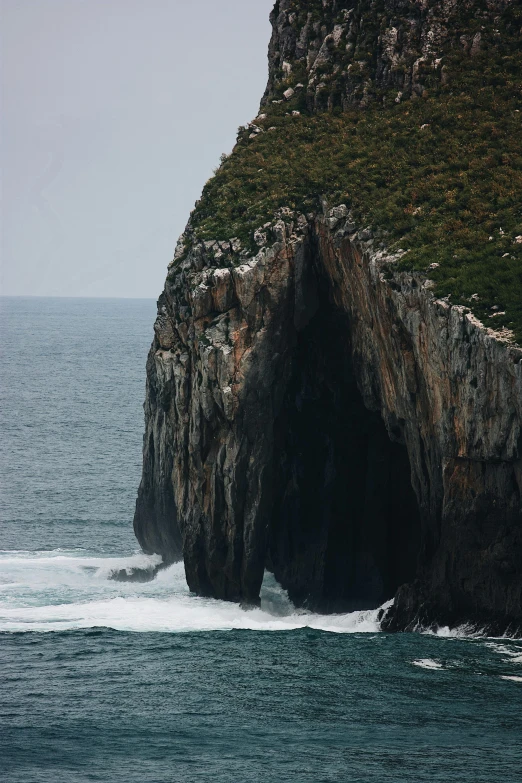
x=103, y=680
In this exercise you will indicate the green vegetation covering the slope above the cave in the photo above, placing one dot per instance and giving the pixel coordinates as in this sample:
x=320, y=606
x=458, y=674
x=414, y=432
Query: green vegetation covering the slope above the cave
x=441, y=175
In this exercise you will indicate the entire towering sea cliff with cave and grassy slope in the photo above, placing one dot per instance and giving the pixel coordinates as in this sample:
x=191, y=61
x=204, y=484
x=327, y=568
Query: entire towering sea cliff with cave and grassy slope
x=324, y=399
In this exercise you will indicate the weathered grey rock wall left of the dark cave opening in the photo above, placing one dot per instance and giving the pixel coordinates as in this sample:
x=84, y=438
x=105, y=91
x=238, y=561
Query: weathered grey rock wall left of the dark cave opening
x=219, y=360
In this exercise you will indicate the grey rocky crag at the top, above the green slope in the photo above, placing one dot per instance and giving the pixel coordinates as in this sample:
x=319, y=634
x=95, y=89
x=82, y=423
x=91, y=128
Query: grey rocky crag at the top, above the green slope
x=346, y=53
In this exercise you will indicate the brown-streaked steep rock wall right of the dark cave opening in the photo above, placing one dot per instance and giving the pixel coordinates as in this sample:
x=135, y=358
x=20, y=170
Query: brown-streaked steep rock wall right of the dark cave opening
x=452, y=392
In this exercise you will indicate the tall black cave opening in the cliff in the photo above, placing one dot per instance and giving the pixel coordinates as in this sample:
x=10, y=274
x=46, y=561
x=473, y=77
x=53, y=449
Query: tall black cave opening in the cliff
x=345, y=528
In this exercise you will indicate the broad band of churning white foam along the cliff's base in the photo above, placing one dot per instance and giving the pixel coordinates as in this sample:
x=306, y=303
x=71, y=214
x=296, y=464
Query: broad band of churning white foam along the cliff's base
x=65, y=590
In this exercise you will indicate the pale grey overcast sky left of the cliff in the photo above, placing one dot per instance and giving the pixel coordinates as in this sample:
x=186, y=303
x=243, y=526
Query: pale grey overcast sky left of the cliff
x=114, y=115
